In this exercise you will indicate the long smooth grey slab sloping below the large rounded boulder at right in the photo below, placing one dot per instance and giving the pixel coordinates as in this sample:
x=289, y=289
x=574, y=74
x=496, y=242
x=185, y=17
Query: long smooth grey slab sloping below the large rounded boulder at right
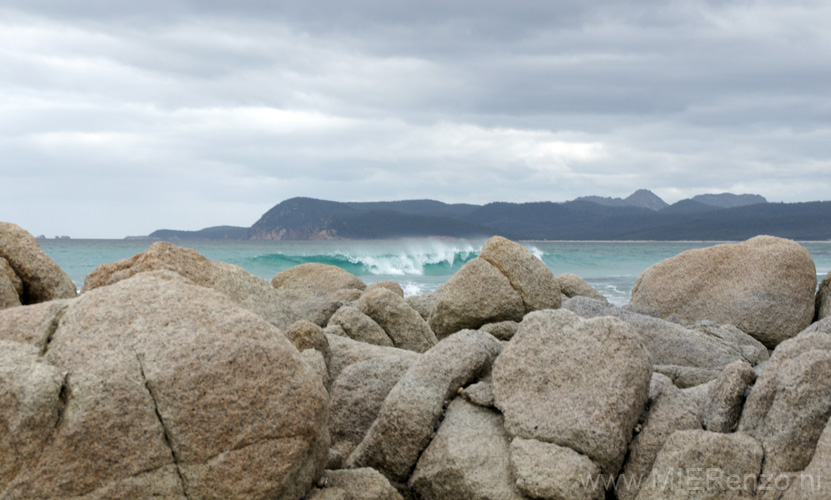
x=668, y=343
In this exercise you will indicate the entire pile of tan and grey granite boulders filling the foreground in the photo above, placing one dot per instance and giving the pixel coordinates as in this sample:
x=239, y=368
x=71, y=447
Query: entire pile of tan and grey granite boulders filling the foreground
x=173, y=376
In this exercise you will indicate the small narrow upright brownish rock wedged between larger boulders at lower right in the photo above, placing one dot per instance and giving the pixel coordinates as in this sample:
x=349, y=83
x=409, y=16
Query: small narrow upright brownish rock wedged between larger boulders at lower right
x=727, y=396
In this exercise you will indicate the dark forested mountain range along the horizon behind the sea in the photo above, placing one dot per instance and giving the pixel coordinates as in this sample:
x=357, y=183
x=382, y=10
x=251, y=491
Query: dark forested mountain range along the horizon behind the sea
x=581, y=219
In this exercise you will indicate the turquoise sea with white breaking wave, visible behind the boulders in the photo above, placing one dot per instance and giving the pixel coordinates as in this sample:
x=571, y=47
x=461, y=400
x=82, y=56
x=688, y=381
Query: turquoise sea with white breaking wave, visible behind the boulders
x=418, y=265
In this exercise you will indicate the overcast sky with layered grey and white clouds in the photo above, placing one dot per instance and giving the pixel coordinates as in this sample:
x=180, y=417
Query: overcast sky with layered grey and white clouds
x=118, y=118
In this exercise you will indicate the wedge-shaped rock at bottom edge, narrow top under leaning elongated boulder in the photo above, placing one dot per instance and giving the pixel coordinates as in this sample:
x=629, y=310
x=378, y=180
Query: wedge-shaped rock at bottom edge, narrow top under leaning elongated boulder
x=469, y=458
